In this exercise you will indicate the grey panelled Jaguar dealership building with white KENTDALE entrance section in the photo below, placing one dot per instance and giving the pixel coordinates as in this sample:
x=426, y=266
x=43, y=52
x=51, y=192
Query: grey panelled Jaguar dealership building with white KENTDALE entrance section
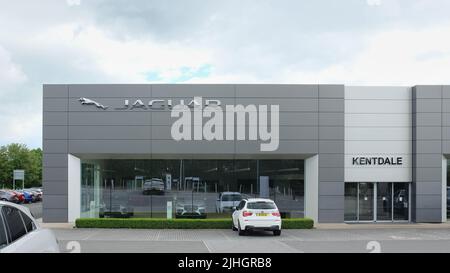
x=333, y=153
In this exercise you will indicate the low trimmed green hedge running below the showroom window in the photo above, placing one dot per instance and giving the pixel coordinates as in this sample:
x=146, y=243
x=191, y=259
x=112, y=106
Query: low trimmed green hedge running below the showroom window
x=160, y=223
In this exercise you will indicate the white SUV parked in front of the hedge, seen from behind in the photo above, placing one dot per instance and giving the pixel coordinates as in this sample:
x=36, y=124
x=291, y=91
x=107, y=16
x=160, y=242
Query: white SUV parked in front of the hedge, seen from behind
x=257, y=214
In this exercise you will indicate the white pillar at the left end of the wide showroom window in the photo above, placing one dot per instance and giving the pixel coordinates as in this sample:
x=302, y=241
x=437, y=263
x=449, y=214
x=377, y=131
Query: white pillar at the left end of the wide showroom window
x=74, y=188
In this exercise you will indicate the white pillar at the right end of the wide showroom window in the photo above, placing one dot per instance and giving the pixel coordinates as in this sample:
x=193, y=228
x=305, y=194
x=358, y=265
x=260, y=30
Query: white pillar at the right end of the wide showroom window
x=312, y=188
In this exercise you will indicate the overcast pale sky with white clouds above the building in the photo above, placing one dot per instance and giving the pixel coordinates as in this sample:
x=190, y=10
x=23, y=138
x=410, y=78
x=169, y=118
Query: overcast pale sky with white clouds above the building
x=359, y=42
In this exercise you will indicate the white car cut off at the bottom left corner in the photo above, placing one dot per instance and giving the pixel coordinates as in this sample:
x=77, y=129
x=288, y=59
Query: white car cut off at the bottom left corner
x=20, y=233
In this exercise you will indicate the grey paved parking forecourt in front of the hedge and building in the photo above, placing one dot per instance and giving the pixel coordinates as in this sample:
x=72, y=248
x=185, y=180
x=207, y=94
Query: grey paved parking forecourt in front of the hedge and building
x=226, y=241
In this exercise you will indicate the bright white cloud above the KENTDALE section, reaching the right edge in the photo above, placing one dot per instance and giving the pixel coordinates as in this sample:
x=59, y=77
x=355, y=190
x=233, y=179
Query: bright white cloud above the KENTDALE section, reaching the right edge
x=397, y=57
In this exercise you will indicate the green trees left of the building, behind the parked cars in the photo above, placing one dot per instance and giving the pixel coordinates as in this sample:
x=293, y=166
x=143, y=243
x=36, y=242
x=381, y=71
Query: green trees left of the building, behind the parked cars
x=18, y=156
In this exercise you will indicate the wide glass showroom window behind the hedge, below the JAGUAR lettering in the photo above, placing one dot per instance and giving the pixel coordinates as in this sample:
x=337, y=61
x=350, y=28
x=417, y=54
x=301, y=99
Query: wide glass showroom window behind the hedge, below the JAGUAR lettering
x=188, y=188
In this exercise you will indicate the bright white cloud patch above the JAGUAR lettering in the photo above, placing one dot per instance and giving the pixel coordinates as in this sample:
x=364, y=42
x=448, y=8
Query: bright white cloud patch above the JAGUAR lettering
x=128, y=61
